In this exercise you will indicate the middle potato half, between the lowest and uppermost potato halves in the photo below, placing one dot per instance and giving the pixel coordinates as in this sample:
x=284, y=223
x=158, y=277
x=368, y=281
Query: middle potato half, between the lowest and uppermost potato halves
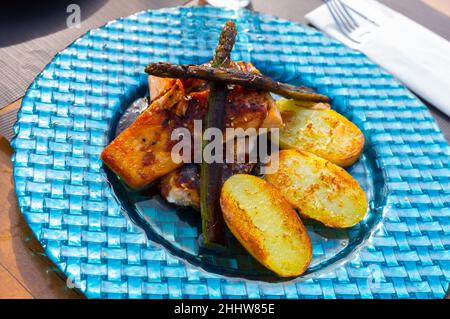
x=320, y=189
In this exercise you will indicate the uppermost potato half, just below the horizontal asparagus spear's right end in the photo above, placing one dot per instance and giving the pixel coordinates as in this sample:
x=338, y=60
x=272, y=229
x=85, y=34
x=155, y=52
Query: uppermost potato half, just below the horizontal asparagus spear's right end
x=323, y=132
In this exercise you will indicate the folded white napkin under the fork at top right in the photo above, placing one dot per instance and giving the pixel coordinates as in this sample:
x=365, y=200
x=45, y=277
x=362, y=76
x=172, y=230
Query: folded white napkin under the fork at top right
x=415, y=55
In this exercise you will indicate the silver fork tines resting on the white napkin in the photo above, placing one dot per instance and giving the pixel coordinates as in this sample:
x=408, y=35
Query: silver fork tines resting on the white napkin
x=347, y=24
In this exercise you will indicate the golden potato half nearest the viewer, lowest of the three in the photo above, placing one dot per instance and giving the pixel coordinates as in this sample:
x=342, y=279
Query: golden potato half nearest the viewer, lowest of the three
x=266, y=224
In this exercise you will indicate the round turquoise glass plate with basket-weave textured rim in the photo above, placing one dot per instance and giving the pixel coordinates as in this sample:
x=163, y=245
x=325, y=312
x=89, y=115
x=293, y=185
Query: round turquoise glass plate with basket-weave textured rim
x=114, y=243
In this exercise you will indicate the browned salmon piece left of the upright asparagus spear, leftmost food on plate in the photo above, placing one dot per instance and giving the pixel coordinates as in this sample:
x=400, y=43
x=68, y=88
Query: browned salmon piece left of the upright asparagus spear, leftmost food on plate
x=142, y=152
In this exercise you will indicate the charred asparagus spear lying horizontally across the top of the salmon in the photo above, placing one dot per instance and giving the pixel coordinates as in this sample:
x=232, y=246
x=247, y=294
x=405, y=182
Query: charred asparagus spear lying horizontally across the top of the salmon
x=231, y=76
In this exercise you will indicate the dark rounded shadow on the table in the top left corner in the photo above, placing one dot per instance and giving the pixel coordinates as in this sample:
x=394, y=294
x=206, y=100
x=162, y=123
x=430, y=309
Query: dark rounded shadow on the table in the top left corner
x=22, y=21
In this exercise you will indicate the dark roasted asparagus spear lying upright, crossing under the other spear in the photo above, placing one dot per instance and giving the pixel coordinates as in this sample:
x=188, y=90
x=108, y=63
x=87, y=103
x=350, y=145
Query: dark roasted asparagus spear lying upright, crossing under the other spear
x=213, y=225
